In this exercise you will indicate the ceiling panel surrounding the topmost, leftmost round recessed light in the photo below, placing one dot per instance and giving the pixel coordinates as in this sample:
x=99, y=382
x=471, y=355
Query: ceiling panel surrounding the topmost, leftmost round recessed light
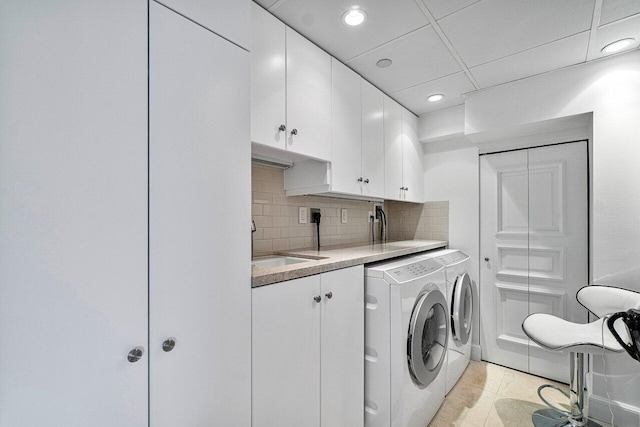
x=321, y=22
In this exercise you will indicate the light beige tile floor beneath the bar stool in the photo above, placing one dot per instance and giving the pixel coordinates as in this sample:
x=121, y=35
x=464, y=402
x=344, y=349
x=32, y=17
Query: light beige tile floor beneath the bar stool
x=490, y=395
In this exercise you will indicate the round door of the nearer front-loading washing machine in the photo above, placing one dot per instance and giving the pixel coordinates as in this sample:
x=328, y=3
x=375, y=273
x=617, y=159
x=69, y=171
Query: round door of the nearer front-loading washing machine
x=428, y=334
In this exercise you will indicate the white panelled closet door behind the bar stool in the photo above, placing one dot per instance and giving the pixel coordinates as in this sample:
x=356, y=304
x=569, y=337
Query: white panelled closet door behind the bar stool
x=534, y=250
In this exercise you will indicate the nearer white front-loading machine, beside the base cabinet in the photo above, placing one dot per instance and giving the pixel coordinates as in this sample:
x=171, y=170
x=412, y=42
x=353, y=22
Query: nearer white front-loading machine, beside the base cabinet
x=406, y=333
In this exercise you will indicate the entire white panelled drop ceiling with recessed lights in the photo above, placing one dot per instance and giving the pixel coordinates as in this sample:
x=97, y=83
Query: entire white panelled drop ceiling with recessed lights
x=459, y=46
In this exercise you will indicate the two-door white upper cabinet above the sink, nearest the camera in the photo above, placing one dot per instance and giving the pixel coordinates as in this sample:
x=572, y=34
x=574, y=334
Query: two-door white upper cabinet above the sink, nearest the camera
x=290, y=89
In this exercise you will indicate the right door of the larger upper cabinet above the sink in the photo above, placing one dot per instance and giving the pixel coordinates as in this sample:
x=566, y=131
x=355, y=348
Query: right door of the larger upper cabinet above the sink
x=308, y=98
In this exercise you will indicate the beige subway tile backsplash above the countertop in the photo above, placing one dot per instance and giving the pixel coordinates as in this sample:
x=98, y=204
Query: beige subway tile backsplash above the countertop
x=277, y=227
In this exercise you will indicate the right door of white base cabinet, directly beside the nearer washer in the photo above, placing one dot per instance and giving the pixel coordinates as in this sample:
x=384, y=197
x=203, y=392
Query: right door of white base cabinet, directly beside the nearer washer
x=342, y=345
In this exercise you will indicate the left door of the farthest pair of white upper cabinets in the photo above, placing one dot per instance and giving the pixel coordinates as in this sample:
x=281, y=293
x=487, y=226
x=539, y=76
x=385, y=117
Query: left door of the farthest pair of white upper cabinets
x=392, y=150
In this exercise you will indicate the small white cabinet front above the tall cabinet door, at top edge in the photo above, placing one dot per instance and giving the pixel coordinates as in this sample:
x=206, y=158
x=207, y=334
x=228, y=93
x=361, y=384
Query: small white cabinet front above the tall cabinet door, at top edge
x=227, y=18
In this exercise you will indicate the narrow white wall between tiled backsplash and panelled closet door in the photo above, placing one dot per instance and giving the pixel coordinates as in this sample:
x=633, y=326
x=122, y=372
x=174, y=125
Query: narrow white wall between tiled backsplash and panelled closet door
x=453, y=175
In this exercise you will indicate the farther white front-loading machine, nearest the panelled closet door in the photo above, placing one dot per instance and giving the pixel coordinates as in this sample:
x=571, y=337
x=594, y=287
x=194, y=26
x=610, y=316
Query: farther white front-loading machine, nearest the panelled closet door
x=460, y=305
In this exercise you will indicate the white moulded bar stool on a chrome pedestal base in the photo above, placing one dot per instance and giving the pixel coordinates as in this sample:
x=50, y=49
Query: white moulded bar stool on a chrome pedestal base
x=554, y=333
